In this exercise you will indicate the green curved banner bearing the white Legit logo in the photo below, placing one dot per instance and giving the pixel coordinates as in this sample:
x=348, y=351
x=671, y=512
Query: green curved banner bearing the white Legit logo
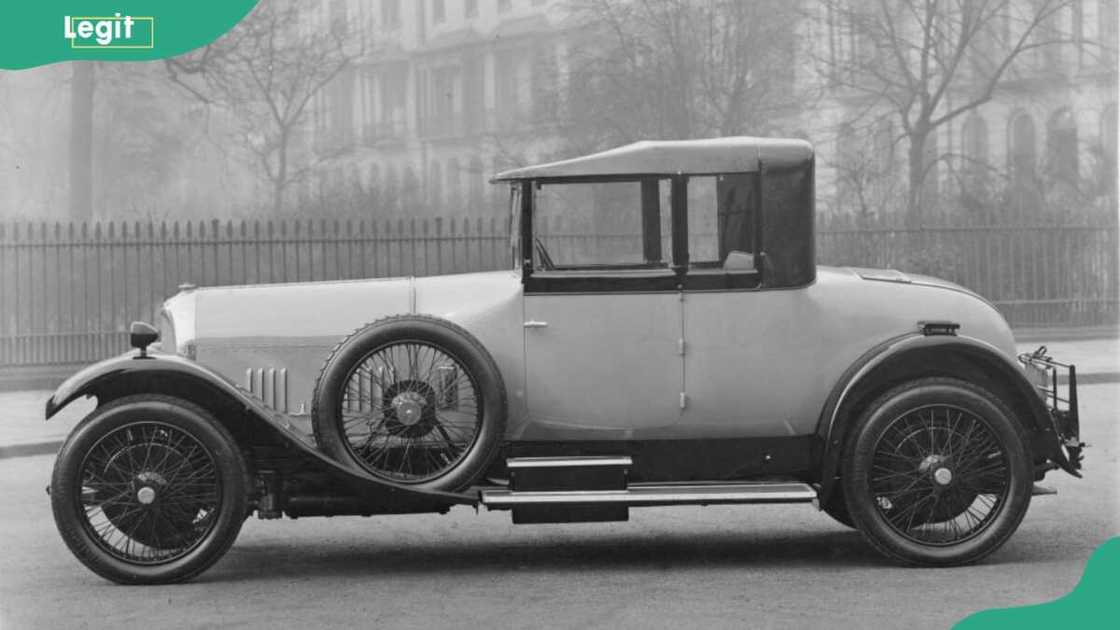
x=46, y=32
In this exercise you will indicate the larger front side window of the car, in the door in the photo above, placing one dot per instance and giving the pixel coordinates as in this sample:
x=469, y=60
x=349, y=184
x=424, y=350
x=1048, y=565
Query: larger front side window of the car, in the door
x=614, y=226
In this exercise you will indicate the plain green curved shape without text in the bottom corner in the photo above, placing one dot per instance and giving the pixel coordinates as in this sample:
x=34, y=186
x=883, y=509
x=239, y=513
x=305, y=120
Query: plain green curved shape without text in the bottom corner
x=1095, y=603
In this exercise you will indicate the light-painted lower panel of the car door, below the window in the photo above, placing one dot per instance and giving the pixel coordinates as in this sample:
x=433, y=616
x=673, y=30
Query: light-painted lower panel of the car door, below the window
x=603, y=366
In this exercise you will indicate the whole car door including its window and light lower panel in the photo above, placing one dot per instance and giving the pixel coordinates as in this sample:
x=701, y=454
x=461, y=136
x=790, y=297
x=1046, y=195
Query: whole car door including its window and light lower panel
x=603, y=314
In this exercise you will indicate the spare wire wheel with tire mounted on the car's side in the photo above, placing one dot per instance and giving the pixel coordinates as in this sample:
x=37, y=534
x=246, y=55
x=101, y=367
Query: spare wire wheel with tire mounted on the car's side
x=414, y=401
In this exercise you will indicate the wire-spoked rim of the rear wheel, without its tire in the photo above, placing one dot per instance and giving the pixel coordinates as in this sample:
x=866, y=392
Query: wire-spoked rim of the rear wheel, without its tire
x=939, y=476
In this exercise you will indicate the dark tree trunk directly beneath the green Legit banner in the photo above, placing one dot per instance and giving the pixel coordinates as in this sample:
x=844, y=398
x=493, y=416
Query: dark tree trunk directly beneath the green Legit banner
x=81, y=153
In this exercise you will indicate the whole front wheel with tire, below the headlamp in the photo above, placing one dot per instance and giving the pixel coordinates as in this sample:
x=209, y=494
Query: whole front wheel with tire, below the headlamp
x=150, y=490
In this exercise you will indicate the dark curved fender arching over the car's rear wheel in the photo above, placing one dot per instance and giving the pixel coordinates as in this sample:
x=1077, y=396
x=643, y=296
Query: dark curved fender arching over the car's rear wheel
x=916, y=356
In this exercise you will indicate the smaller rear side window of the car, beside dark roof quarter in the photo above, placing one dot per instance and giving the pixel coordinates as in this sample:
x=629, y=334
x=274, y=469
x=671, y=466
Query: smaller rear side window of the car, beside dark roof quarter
x=722, y=221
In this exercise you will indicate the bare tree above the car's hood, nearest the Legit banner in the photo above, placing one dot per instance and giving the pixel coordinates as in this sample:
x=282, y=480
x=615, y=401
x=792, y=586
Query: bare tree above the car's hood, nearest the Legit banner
x=268, y=72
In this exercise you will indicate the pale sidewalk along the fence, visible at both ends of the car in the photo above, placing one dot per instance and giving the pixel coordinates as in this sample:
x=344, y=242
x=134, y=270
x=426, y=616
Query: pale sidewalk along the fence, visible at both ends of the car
x=24, y=432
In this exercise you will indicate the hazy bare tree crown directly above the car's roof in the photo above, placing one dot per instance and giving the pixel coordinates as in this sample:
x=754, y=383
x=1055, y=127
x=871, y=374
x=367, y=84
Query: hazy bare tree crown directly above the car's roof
x=678, y=69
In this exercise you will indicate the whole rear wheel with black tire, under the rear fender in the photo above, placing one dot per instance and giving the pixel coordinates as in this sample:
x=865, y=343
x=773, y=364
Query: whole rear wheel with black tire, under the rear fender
x=937, y=474
